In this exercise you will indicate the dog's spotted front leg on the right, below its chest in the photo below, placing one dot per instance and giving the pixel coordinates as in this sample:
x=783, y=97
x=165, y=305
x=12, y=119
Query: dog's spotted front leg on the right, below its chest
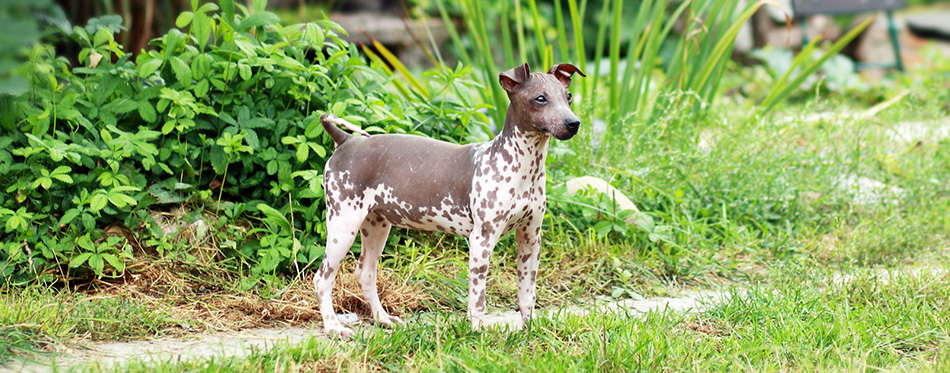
x=529, y=256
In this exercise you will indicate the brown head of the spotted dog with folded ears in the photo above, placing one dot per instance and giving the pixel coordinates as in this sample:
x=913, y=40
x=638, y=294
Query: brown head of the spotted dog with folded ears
x=540, y=102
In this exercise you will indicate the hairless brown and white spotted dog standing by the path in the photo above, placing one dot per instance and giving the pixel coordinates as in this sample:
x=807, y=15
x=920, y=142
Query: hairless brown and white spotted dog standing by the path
x=481, y=191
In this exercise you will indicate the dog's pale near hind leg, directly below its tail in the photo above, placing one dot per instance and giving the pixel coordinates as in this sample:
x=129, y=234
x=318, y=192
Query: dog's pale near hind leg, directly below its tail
x=341, y=232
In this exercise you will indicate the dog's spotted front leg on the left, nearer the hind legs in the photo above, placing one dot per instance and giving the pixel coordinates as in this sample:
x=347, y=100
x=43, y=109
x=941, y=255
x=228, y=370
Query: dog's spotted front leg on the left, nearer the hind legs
x=480, y=249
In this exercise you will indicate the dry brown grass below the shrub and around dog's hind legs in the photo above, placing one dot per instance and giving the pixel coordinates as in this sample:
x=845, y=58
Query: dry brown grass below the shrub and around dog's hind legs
x=204, y=298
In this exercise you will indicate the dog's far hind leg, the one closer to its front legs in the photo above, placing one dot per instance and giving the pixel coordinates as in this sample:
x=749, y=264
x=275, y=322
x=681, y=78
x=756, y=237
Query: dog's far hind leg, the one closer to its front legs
x=374, y=232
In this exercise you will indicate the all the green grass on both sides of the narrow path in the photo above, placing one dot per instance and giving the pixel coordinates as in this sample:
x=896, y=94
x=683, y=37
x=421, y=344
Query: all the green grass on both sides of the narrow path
x=758, y=208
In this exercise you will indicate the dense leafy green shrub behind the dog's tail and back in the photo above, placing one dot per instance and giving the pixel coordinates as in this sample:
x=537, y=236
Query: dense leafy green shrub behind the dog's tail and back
x=221, y=117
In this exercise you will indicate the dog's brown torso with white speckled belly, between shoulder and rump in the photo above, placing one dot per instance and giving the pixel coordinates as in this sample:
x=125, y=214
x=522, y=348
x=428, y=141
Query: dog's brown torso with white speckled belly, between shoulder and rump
x=410, y=181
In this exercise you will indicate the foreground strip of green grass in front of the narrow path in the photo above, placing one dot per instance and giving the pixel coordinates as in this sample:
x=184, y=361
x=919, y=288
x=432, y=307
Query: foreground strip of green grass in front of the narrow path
x=800, y=319
